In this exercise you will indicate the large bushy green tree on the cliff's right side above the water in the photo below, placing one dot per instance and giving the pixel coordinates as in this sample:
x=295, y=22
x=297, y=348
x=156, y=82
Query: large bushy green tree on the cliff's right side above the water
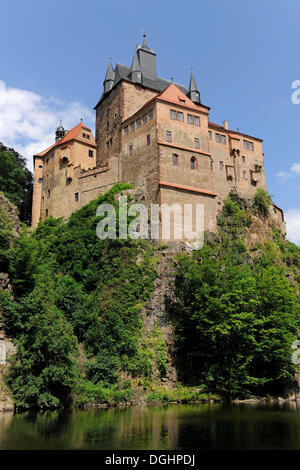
x=235, y=316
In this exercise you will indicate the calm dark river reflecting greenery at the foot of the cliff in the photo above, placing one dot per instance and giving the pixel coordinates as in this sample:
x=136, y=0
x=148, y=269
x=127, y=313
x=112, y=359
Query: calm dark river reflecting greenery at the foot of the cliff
x=218, y=426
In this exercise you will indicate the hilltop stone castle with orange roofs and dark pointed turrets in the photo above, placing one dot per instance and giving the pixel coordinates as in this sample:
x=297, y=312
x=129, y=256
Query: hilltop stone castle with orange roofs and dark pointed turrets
x=155, y=134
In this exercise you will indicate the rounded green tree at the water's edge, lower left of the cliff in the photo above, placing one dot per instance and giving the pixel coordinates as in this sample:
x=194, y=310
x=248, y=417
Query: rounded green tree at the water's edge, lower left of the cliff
x=43, y=372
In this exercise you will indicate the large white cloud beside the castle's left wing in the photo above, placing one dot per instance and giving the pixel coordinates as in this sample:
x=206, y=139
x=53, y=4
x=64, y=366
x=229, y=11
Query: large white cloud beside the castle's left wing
x=28, y=120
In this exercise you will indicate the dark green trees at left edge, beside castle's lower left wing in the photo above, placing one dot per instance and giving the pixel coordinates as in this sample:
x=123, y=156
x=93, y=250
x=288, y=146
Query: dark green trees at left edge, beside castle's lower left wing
x=16, y=181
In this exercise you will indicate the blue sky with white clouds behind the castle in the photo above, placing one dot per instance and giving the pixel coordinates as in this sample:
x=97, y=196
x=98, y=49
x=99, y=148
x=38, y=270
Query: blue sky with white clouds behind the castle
x=244, y=54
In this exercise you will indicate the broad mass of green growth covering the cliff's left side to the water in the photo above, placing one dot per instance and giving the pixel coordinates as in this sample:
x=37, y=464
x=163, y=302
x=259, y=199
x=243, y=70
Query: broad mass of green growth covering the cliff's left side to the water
x=93, y=287
